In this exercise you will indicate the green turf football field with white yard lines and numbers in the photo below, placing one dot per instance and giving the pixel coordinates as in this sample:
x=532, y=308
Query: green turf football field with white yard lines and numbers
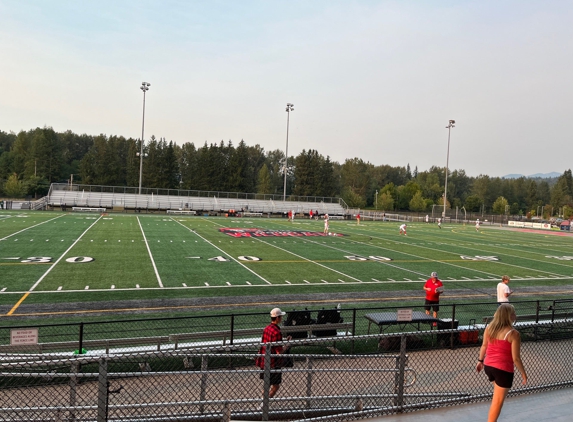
x=48, y=257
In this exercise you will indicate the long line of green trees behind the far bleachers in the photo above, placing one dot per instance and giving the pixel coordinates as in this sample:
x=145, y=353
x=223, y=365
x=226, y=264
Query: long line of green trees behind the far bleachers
x=31, y=160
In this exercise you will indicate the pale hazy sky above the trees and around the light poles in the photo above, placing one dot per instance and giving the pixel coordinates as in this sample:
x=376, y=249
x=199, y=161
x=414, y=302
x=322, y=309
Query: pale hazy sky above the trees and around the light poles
x=377, y=80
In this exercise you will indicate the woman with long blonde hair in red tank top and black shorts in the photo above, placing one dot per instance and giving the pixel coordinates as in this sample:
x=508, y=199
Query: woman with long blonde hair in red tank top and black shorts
x=501, y=349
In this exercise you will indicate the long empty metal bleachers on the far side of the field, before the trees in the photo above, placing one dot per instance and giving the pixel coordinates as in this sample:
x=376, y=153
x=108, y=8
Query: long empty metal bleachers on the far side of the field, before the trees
x=65, y=196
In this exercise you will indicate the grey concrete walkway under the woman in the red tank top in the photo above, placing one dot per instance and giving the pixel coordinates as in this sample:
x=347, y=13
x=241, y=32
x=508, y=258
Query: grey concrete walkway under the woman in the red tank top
x=554, y=406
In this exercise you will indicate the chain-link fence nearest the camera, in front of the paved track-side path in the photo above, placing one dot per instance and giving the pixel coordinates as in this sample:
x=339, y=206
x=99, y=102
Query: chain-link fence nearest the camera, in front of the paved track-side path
x=223, y=384
